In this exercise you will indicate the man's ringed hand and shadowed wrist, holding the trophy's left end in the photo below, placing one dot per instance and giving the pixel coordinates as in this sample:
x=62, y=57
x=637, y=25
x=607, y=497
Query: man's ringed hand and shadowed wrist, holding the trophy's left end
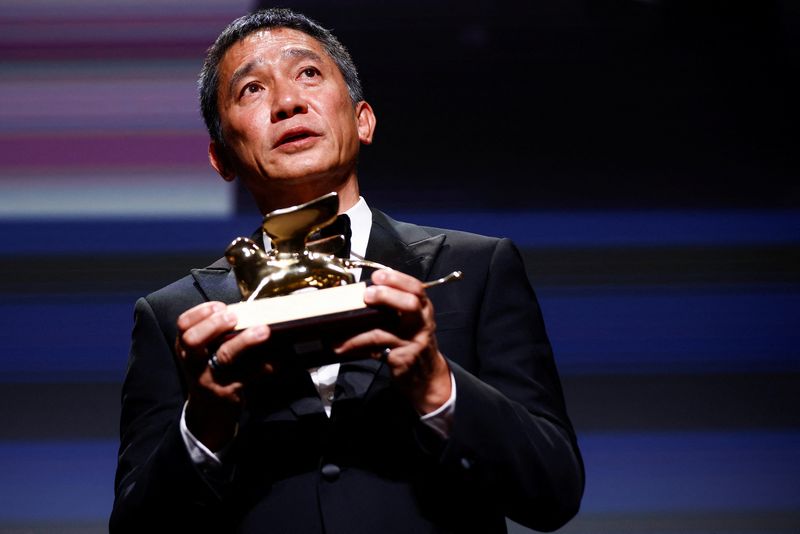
x=213, y=406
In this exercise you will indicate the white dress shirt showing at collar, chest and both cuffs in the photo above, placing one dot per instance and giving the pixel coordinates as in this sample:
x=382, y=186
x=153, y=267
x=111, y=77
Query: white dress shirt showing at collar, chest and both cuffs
x=324, y=377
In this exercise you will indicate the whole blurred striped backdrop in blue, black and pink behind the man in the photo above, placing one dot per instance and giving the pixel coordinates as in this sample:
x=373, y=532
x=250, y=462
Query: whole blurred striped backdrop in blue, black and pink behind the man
x=643, y=155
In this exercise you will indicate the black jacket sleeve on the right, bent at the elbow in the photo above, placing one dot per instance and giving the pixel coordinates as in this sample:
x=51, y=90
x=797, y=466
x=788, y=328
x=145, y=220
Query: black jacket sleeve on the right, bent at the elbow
x=511, y=433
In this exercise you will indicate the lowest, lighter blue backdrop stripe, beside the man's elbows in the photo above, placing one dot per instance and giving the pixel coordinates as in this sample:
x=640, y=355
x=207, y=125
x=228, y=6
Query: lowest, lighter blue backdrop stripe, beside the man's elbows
x=711, y=472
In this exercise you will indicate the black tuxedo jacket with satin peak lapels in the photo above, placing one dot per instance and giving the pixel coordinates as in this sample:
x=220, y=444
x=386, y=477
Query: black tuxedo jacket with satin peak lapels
x=371, y=467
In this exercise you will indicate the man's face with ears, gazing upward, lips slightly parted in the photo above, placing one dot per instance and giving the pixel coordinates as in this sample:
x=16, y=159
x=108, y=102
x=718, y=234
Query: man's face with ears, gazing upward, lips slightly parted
x=286, y=113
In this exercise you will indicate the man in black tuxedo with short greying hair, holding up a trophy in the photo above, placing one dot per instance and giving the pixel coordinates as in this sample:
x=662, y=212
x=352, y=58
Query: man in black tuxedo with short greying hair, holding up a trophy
x=448, y=423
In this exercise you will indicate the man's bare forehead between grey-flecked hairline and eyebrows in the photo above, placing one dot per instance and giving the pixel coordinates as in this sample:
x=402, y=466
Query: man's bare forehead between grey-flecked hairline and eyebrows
x=269, y=46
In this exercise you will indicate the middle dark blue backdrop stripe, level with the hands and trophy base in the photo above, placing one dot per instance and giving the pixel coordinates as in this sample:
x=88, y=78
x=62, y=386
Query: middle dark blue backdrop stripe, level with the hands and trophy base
x=649, y=332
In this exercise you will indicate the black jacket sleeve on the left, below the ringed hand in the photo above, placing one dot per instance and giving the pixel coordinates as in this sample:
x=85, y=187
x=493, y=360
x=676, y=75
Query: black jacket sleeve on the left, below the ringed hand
x=157, y=486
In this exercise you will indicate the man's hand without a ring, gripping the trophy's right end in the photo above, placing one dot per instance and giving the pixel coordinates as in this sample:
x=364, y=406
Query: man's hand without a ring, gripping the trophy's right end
x=414, y=359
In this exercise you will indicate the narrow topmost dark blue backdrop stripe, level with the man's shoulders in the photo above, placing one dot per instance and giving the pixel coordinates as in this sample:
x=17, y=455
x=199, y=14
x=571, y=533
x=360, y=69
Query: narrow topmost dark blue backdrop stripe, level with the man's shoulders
x=530, y=229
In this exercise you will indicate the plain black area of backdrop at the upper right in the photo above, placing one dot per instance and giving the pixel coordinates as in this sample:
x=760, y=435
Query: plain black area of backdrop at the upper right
x=577, y=104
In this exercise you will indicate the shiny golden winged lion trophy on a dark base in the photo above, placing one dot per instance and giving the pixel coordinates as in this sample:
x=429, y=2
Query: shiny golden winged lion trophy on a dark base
x=307, y=295
